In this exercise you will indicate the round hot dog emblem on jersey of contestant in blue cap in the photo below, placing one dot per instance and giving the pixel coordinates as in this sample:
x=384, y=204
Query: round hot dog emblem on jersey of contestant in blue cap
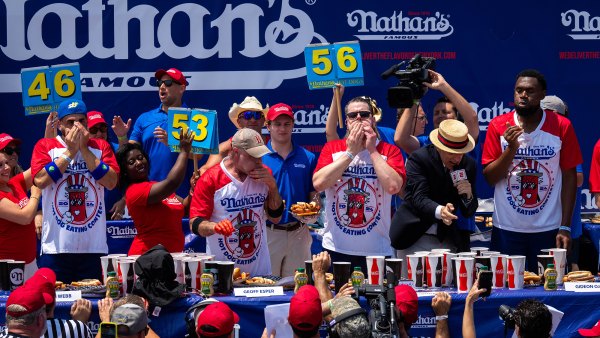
x=79, y=203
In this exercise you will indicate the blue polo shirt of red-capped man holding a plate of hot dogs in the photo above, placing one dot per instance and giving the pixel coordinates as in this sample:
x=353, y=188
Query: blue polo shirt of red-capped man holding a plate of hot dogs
x=293, y=176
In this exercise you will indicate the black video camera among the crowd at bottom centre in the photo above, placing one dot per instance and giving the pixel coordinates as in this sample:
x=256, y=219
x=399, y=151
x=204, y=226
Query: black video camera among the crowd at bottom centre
x=383, y=318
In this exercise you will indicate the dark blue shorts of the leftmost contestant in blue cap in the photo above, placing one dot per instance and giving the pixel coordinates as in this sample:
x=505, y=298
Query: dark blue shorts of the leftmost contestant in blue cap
x=72, y=267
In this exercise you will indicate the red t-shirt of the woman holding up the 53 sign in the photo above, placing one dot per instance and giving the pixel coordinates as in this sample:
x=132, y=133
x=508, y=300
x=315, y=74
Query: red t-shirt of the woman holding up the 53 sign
x=158, y=223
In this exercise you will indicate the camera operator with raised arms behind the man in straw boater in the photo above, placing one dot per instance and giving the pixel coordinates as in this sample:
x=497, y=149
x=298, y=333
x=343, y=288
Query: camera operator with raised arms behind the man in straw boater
x=447, y=107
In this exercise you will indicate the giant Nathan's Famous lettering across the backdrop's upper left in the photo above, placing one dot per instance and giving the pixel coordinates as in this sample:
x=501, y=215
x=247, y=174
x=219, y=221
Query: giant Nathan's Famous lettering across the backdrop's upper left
x=103, y=32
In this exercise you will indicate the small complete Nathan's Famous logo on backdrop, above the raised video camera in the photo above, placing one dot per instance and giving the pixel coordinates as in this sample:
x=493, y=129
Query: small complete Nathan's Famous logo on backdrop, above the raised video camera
x=400, y=25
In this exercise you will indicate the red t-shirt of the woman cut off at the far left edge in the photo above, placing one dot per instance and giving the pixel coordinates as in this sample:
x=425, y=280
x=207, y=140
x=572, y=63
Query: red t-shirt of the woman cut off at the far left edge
x=17, y=241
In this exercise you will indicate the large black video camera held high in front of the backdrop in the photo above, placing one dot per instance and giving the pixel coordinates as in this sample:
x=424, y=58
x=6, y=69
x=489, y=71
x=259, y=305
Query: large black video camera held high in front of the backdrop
x=411, y=78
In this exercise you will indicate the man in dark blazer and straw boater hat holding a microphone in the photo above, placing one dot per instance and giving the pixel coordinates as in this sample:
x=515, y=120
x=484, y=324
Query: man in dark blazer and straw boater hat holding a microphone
x=440, y=180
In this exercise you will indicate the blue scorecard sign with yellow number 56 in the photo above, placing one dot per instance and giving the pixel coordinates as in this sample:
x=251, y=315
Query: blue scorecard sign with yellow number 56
x=327, y=65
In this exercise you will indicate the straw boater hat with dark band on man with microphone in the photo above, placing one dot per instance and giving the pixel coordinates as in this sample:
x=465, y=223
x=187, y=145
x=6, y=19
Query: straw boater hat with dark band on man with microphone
x=452, y=136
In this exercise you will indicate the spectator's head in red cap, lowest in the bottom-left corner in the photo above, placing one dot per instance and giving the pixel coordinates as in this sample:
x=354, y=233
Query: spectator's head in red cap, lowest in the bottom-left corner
x=26, y=312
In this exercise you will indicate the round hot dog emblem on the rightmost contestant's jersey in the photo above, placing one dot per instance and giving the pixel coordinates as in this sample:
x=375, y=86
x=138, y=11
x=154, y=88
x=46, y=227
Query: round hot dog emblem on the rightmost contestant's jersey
x=529, y=183
